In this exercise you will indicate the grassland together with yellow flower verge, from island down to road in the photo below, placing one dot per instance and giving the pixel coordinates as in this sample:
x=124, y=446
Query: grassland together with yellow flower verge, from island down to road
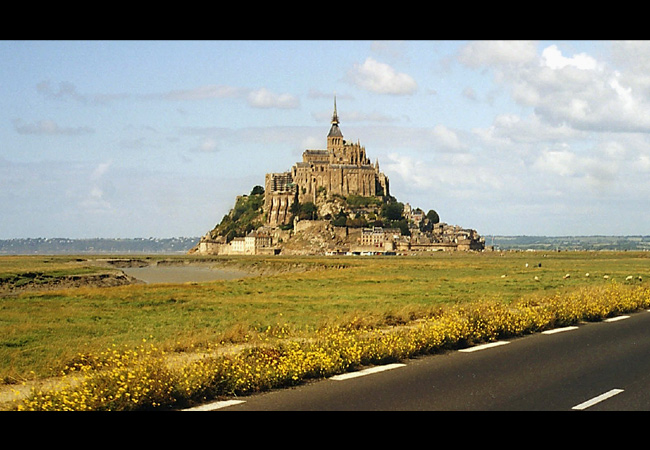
x=334, y=314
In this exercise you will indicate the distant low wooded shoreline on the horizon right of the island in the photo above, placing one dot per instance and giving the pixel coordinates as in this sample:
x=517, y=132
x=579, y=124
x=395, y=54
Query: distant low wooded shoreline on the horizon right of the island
x=562, y=243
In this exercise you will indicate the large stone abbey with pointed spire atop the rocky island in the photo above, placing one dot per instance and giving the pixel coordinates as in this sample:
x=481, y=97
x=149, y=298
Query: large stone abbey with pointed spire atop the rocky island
x=342, y=169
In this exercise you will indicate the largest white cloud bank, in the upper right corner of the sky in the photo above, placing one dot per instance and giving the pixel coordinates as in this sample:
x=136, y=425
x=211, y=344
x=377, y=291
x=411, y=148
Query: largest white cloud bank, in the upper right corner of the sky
x=574, y=90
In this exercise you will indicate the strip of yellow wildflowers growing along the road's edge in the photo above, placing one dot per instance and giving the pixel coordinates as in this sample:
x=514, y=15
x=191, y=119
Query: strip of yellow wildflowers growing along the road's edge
x=142, y=378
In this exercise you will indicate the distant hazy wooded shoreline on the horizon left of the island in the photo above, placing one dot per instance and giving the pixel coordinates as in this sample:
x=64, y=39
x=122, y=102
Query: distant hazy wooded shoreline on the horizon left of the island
x=52, y=246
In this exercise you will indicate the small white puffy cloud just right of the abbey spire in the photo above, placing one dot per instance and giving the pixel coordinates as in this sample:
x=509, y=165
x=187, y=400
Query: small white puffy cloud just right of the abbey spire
x=381, y=78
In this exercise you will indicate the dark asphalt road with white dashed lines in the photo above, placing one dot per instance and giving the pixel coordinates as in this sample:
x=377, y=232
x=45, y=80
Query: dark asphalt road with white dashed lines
x=595, y=366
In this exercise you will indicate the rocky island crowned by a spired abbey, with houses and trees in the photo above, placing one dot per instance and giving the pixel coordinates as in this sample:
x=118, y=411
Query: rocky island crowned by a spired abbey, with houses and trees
x=334, y=201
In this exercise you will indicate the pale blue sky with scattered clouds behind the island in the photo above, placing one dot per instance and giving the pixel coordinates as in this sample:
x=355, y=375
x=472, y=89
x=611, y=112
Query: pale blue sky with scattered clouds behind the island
x=156, y=138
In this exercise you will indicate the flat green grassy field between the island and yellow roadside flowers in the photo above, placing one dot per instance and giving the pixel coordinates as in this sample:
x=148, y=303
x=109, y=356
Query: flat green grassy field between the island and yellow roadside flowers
x=41, y=332
